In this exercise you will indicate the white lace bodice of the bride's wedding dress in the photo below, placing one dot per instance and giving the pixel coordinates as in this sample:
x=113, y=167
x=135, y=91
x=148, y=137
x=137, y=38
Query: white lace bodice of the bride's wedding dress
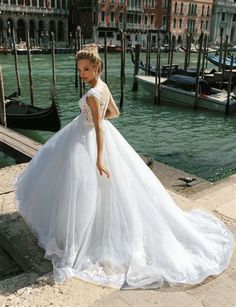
x=102, y=94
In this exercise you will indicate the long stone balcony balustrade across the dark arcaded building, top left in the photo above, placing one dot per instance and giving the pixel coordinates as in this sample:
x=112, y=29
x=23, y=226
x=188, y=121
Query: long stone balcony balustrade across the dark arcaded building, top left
x=32, y=10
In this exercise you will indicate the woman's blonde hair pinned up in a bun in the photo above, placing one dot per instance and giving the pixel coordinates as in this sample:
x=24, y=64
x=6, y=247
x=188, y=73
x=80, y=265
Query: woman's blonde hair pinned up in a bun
x=90, y=52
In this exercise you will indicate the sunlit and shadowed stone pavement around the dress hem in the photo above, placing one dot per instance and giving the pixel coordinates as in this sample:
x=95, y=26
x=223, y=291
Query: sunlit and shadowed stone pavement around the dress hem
x=34, y=286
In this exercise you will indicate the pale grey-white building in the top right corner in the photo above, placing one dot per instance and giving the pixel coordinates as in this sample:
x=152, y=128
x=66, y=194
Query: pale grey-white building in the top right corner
x=223, y=21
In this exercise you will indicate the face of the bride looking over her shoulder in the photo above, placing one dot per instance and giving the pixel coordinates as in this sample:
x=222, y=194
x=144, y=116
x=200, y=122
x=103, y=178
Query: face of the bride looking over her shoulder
x=87, y=71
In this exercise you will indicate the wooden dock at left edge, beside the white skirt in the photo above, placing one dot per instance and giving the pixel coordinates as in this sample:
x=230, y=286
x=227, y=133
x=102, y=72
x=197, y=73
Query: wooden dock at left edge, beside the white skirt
x=17, y=145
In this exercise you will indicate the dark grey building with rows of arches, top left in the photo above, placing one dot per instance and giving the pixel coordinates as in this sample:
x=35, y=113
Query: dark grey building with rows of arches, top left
x=40, y=17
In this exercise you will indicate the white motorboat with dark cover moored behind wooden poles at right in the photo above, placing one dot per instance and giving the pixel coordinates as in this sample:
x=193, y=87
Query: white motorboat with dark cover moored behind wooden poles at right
x=180, y=90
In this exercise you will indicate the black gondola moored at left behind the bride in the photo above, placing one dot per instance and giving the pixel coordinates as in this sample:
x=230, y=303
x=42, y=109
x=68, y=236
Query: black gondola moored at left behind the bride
x=25, y=116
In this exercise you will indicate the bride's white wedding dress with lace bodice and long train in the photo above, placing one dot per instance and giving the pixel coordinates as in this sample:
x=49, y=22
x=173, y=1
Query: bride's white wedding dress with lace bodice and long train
x=124, y=231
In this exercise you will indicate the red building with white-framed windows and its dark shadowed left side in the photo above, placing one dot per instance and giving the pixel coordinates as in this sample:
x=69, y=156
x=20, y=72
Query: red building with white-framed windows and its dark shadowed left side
x=135, y=17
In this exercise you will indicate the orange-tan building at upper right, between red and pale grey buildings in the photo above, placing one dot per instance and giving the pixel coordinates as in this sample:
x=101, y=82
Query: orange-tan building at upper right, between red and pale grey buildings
x=189, y=17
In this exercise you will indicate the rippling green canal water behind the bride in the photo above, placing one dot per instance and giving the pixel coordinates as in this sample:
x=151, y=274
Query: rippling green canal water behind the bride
x=200, y=142
